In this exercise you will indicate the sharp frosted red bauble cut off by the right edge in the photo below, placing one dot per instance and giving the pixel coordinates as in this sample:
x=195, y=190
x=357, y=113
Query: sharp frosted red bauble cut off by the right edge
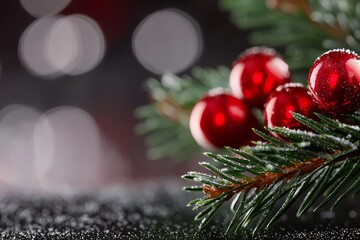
x=334, y=81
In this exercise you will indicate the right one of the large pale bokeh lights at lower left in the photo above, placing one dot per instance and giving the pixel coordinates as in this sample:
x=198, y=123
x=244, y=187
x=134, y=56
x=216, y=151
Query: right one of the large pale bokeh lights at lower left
x=68, y=149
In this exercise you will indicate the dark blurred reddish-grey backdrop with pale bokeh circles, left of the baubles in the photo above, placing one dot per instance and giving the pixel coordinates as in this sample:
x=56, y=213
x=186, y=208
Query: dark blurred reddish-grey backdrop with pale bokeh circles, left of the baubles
x=72, y=73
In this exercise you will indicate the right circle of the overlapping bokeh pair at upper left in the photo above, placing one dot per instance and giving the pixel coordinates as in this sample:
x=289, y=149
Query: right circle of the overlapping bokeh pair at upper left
x=75, y=44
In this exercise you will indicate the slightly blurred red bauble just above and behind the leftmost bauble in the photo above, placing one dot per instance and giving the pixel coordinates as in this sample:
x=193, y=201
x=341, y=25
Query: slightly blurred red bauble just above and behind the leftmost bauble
x=256, y=73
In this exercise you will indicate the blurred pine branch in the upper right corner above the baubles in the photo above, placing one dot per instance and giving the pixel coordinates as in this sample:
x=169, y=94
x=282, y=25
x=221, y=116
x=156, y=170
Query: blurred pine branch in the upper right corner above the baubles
x=303, y=29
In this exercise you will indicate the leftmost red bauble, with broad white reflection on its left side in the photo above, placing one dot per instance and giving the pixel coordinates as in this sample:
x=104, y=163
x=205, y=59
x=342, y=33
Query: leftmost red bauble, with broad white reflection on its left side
x=220, y=119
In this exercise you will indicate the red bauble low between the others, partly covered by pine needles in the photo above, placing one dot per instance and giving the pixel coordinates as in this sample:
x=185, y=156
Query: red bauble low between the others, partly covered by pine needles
x=291, y=97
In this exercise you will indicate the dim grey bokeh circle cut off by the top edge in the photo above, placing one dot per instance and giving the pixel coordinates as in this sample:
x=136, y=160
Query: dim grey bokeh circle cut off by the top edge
x=39, y=8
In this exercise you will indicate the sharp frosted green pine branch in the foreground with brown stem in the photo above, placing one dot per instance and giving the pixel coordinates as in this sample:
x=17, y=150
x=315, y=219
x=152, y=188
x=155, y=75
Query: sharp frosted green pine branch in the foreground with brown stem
x=266, y=179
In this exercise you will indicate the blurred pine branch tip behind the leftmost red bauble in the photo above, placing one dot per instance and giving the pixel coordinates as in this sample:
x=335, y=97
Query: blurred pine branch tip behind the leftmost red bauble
x=165, y=121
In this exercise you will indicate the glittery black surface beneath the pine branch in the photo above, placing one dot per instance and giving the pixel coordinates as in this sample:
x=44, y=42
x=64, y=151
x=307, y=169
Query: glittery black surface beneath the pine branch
x=150, y=211
